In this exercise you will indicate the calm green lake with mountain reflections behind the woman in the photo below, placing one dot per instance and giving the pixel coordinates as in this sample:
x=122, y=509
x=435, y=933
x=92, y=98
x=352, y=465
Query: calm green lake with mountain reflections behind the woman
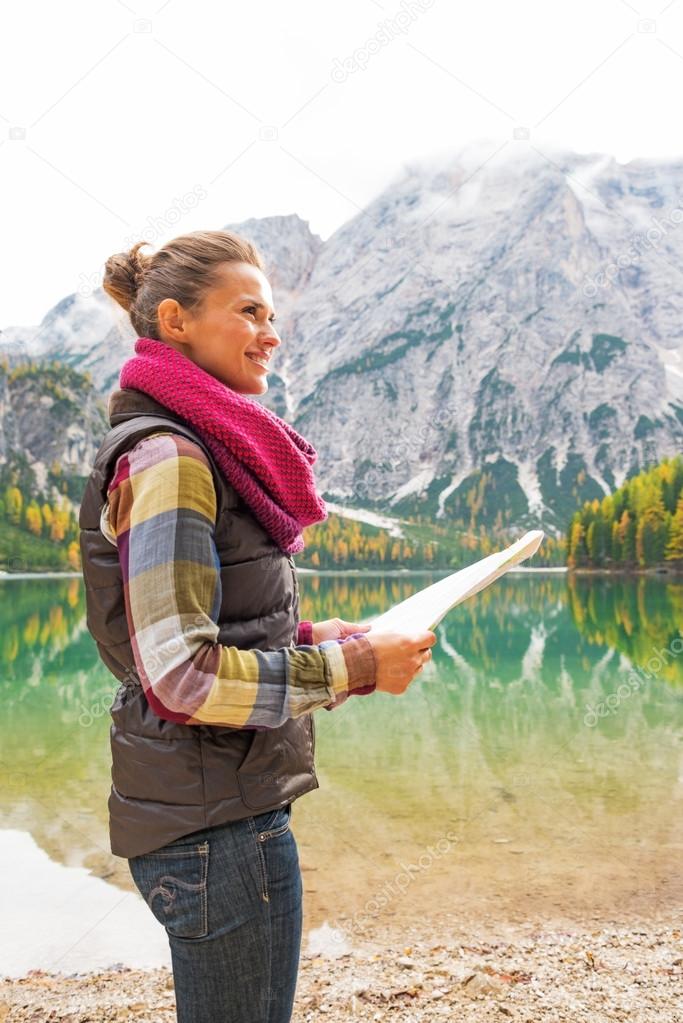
x=533, y=771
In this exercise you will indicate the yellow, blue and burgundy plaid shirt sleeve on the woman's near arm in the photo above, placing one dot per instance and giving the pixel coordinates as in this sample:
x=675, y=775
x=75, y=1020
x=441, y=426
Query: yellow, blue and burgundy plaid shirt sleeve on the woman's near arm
x=161, y=514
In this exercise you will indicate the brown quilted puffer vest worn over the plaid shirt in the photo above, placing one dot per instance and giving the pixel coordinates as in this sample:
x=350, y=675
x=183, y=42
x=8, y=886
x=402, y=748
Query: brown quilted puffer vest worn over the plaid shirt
x=168, y=779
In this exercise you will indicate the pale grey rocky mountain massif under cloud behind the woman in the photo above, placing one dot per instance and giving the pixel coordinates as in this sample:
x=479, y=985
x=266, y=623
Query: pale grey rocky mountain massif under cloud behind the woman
x=491, y=341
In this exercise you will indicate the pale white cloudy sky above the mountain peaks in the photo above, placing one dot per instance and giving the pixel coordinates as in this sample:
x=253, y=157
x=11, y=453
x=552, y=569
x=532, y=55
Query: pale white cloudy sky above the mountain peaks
x=122, y=121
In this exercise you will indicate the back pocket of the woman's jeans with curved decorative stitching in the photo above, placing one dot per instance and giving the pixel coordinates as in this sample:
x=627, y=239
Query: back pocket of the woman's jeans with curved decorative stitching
x=173, y=881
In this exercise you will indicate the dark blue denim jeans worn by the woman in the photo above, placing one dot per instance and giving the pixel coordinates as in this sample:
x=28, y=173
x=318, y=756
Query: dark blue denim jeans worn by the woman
x=231, y=900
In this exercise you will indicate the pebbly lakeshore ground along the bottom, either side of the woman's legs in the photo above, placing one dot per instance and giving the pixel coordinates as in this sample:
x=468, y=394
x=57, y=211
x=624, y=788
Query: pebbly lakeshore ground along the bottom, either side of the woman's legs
x=528, y=974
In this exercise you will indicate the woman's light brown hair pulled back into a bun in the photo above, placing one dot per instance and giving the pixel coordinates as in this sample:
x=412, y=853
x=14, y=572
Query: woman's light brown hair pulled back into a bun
x=185, y=270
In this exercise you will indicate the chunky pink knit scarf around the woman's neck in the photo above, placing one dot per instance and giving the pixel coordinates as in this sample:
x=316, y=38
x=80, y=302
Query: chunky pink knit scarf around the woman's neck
x=265, y=460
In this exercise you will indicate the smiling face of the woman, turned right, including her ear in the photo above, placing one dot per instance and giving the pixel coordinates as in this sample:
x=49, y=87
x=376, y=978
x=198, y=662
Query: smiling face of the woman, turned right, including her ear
x=234, y=326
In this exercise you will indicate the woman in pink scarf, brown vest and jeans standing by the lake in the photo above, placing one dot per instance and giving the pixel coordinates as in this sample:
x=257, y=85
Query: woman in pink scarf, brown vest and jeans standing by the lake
x=189, y=523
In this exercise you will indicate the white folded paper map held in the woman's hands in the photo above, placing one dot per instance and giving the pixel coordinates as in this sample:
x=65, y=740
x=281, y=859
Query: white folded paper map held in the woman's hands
x=427, y=608
